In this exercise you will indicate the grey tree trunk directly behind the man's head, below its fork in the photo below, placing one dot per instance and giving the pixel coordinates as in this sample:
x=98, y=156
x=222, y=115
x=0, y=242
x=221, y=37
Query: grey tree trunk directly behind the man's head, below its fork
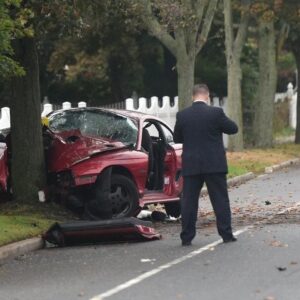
x=185, y=72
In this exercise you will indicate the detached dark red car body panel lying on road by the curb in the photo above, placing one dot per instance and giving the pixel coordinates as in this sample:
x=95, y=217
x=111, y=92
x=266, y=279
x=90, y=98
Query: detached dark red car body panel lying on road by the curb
x=87, y=232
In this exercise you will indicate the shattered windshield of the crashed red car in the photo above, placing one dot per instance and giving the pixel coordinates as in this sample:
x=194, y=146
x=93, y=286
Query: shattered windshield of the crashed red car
x=96, y=123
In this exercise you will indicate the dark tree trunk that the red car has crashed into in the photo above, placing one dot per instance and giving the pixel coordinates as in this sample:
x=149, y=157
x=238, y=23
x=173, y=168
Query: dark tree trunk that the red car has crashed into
x=28, y=163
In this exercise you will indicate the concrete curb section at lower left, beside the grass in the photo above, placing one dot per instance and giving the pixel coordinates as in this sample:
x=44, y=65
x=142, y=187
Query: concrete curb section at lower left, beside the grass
x=21, y=247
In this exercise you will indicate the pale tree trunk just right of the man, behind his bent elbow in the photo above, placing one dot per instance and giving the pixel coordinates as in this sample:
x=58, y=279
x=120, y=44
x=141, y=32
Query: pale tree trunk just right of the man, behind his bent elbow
x=234, y=103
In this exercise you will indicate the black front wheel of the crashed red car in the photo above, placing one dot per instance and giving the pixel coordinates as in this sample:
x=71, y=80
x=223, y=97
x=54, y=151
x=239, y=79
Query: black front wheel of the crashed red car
x=123, y=200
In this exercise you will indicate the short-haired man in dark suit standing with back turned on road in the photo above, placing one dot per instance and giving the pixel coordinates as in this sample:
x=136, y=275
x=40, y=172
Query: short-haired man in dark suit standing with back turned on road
x=200, y=128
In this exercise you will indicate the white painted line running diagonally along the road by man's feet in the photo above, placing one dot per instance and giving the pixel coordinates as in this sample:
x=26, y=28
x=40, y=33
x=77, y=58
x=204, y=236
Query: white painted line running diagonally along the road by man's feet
x=159, y=269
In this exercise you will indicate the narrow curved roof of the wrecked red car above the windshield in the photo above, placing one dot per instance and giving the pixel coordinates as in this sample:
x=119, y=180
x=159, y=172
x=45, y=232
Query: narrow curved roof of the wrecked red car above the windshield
x=126, y=113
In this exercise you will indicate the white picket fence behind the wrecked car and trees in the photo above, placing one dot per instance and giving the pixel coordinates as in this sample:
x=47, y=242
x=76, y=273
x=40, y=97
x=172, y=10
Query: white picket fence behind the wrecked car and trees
x=165, y=109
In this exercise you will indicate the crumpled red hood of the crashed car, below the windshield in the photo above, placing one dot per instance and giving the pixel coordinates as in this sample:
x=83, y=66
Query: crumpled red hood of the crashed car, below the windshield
x=71, y=147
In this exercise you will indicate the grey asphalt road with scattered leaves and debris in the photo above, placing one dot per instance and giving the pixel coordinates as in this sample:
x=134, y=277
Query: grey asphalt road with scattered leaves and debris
x=264, y=263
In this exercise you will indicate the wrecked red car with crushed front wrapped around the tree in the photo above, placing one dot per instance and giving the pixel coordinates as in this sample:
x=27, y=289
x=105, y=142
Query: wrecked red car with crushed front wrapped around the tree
x=109, y=163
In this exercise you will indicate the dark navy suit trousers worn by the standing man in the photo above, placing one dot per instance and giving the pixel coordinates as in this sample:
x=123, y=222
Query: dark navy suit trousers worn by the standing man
x=217, y=189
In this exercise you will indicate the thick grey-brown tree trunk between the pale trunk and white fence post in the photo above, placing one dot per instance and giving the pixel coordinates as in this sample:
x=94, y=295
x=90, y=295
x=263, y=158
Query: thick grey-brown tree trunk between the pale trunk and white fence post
x=264, y=108
